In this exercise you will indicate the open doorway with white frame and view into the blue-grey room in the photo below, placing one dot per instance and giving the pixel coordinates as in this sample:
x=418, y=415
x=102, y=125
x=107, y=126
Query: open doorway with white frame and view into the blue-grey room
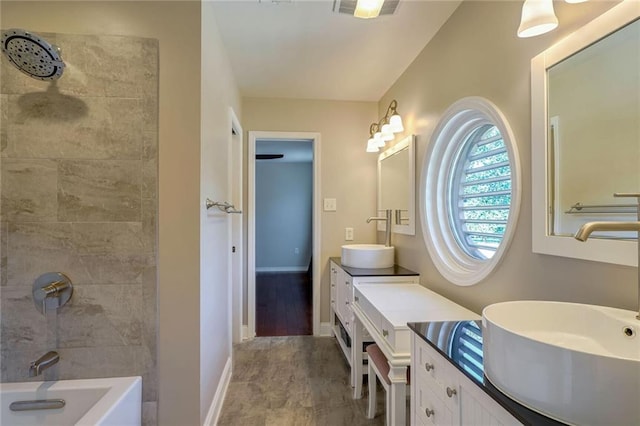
x=283, y=234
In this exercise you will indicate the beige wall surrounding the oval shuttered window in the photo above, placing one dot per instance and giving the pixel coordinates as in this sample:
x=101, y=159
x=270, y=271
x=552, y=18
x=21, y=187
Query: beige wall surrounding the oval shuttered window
x=477, y=53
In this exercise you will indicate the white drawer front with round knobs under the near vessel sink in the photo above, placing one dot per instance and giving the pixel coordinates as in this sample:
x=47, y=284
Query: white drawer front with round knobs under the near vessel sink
x=442, y=395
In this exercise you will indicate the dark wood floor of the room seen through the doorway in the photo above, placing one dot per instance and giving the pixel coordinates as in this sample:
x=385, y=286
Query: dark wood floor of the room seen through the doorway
x=283, y=304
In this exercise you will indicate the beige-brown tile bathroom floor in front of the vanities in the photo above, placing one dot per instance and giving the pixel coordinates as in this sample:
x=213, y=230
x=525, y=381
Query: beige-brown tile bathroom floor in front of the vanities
x=293, y=381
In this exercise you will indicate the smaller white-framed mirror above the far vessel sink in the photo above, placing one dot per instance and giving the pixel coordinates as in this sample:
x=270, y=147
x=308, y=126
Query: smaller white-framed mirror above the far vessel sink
x=396, y=186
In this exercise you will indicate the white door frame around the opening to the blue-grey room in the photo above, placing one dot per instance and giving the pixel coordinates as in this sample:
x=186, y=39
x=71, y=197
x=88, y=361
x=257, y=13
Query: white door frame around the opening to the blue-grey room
x=251, y=223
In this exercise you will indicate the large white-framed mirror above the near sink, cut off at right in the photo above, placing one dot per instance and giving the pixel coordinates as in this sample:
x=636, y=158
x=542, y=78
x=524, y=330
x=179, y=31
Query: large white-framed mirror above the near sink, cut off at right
x=586, y=137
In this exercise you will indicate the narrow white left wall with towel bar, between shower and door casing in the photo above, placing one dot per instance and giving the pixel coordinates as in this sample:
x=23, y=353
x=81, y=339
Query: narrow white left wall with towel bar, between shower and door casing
x=219, y=92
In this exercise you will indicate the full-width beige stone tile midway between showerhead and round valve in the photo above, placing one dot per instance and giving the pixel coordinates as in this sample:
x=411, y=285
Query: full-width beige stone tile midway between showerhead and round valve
x=91, y=191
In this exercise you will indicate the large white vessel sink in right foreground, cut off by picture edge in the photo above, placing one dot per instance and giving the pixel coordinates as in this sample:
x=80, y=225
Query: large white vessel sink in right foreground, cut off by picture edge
x=579, y=364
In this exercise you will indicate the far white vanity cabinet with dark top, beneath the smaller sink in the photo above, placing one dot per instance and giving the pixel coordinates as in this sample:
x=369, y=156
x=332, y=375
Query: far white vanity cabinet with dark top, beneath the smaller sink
x=343, y=280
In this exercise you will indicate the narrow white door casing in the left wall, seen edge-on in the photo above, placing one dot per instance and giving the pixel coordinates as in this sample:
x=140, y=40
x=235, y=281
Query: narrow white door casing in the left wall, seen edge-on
x=236, y=261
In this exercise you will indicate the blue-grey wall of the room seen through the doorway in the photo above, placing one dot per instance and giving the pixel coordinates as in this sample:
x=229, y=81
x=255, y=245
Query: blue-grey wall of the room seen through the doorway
x=284, y=196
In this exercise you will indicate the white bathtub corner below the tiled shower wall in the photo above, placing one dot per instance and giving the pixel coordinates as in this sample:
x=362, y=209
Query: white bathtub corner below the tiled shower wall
x=115, y=401
